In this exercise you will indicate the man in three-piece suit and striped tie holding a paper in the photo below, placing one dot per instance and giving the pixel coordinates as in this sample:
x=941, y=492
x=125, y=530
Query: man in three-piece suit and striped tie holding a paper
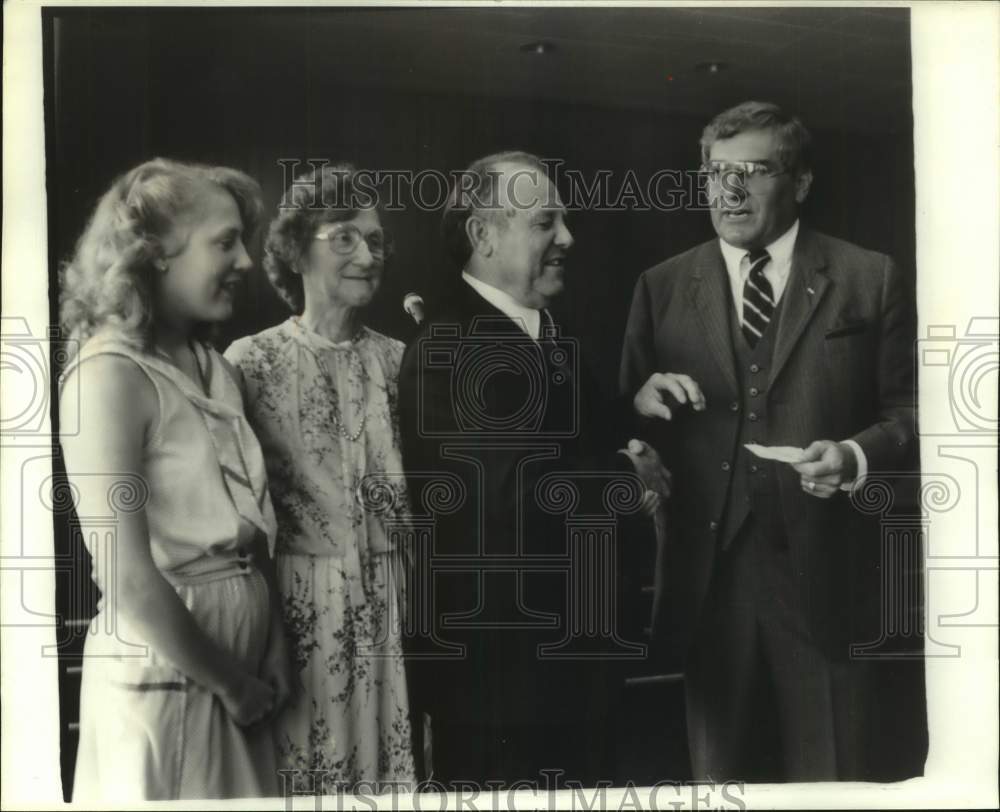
x=774, y=335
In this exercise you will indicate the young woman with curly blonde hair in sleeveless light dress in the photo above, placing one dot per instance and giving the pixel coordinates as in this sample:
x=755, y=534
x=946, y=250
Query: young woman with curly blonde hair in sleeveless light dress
x=186, y=662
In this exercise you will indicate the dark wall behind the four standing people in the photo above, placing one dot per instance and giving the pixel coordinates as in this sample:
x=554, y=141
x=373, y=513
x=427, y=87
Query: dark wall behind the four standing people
x=214, y=86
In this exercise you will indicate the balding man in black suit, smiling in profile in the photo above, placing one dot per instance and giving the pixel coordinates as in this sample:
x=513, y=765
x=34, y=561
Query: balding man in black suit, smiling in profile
x=494, y=400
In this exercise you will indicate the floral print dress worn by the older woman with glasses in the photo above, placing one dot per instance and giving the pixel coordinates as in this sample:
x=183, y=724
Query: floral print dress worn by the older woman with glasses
x=325, y=414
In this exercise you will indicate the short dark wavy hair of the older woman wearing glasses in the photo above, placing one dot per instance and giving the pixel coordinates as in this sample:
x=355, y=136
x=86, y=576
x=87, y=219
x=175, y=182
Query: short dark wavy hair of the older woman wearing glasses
x=330, y=194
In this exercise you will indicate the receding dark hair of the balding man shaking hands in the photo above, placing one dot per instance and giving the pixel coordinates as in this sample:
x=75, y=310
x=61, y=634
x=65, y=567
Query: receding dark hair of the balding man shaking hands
x=466, y=199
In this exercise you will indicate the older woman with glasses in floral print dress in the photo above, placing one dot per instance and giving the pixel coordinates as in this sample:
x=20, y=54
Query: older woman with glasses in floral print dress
x=321, y=392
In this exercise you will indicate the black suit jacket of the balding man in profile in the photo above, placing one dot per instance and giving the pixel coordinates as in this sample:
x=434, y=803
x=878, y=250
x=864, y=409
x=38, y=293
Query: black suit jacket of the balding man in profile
x=481, y=401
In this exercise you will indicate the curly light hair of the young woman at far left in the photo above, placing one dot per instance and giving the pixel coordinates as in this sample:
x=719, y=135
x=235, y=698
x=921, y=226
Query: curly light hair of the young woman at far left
x=108, y=283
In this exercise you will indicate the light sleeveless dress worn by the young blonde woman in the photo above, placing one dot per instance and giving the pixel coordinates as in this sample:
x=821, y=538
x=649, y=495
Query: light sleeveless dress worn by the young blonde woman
x=147, y=732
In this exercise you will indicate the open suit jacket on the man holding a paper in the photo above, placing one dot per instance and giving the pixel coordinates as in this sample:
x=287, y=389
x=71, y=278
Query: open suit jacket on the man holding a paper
x=842, y=369
